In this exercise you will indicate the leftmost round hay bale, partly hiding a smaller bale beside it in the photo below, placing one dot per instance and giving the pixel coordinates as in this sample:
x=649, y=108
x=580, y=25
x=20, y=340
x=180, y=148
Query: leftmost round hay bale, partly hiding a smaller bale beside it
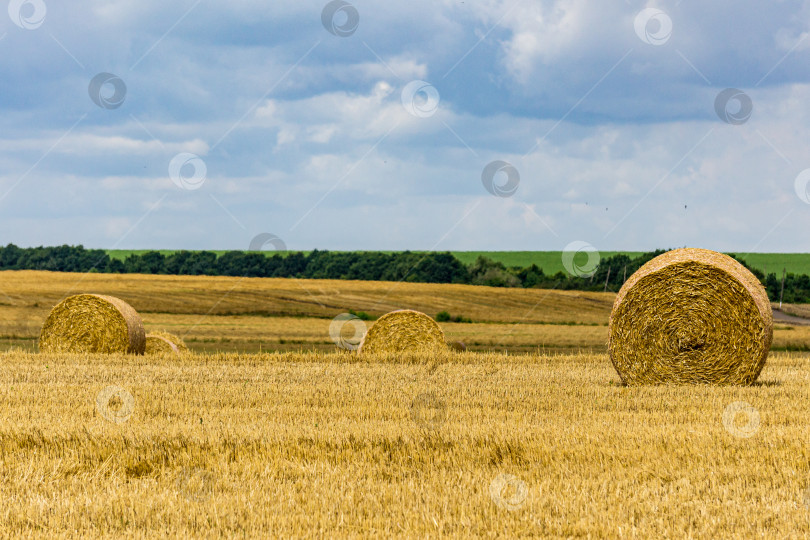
x=93, y=323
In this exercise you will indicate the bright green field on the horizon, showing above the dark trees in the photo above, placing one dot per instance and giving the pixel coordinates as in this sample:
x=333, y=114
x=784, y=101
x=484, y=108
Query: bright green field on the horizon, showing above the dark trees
x=551, y=261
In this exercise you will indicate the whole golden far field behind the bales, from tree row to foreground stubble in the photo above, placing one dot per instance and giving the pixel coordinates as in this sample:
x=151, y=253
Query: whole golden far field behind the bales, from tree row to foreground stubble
x=248, y=315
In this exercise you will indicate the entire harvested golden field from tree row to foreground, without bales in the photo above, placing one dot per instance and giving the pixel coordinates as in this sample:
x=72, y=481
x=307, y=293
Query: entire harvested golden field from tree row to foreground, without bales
x=528, y=433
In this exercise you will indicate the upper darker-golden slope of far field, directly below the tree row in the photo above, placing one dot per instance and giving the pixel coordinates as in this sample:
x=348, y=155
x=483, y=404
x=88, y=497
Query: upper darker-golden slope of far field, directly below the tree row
x=35, y=292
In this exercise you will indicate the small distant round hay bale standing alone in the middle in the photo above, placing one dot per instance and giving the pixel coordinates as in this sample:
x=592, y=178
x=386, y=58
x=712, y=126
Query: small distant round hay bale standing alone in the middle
x=403, y=330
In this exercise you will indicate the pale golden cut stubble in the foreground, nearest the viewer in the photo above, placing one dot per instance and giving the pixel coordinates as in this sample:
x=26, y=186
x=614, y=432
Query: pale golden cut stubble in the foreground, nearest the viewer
x=295, y=445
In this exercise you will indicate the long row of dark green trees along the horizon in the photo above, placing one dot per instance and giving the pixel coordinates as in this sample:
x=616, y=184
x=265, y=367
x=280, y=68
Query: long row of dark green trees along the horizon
x=431, y=267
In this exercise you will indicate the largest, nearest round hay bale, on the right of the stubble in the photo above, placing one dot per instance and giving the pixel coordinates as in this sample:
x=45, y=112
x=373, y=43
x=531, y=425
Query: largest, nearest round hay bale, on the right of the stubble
x=690, y=316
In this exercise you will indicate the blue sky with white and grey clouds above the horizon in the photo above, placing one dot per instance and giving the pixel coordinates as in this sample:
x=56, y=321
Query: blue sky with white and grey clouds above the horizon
x=422, y=125
